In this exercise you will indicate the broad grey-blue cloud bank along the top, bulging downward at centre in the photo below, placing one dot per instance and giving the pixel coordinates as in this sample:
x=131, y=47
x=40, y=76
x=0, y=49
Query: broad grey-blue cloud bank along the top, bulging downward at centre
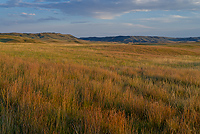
x=106, y=9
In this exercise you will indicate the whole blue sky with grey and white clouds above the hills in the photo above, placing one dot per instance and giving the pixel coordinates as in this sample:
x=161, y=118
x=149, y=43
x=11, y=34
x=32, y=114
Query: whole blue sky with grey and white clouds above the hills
x=83, y=18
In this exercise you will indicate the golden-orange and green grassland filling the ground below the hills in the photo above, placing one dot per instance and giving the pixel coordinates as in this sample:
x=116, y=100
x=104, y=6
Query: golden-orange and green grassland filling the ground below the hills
x=99, y=88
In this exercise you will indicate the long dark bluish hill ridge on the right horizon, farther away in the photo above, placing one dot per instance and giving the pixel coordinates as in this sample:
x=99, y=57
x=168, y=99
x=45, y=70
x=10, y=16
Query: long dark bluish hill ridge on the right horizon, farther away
x=141, y=39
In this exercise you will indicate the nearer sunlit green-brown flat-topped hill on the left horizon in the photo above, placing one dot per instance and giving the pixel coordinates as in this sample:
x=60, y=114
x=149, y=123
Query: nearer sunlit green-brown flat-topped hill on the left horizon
x=38, y=37
